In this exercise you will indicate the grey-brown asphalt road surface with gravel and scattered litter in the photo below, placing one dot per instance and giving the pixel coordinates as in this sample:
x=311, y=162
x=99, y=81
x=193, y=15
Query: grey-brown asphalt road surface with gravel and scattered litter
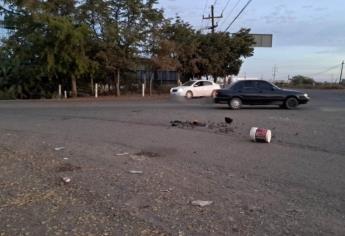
x=292, y=186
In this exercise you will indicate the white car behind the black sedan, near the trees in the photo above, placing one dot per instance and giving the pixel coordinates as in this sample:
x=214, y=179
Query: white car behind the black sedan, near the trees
x=196, y=88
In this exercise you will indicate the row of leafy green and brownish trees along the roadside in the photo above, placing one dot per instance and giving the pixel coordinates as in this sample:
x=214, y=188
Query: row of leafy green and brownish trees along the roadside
x=72, y=42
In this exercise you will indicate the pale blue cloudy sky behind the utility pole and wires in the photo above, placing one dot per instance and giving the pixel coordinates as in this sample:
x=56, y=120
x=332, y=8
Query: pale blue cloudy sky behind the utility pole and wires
x=308, y=35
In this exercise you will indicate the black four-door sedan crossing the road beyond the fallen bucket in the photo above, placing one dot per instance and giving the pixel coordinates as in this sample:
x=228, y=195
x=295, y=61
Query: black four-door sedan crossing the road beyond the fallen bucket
x=259, y=92
